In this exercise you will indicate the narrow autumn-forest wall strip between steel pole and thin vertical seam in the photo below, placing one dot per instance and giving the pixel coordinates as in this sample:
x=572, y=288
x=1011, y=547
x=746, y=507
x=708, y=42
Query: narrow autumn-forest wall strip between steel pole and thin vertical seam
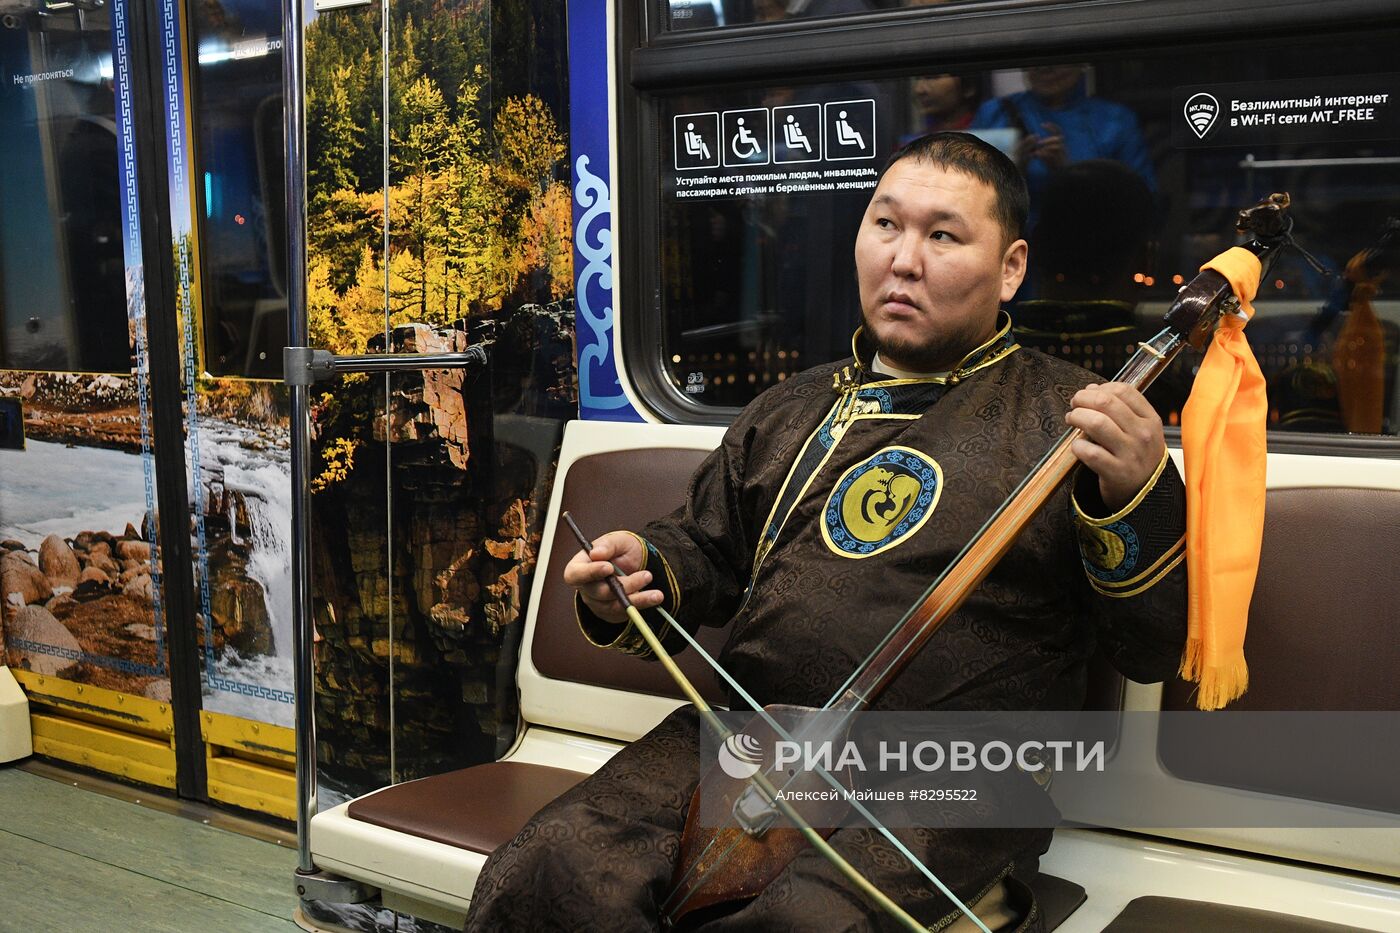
x=345, y=302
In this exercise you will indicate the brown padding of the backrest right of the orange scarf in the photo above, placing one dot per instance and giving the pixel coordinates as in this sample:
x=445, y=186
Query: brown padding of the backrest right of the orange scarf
x=1322, y=638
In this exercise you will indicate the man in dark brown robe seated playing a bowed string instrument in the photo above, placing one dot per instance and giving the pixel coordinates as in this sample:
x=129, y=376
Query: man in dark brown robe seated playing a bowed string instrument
x=831, y=505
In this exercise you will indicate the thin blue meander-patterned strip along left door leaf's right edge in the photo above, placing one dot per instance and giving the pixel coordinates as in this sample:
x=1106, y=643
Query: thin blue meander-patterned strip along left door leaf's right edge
x=136, y=310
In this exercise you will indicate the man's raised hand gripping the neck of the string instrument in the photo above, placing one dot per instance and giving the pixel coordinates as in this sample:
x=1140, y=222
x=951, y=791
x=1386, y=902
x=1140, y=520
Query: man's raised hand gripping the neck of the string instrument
x=1122, y=443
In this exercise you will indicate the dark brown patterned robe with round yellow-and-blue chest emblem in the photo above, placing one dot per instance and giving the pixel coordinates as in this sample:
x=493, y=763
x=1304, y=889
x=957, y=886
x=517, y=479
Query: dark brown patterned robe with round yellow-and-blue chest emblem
x=834, y=502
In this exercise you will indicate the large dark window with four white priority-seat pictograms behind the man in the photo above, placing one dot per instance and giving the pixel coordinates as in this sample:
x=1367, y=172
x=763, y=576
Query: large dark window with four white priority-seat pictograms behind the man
x=1136, y=174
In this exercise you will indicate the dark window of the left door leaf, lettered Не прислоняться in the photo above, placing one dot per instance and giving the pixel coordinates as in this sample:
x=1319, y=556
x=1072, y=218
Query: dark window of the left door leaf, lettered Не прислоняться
x=62, y=279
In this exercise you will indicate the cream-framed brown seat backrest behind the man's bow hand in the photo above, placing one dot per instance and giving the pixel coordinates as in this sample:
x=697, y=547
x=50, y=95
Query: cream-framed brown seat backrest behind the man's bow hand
x=611, y=476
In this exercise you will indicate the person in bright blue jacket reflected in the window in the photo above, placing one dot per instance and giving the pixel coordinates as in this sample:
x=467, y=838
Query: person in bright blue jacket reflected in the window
x=1062, y=124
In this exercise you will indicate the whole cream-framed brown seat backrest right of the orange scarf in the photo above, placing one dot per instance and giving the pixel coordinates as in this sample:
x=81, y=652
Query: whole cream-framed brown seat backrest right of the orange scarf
x=1321, y=642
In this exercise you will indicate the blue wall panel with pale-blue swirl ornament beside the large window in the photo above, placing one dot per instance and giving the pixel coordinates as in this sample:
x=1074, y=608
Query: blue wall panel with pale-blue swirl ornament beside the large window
x=601, y=396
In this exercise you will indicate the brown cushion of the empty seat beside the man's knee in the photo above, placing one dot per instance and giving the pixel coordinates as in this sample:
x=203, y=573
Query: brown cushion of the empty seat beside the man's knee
x=474, y=809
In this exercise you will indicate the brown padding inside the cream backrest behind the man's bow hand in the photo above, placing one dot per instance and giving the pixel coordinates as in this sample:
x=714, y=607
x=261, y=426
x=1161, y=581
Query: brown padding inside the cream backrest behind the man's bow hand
x=604, y=492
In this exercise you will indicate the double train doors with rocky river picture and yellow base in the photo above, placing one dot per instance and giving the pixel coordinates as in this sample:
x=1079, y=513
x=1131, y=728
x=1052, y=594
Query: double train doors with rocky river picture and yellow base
x=145, y=509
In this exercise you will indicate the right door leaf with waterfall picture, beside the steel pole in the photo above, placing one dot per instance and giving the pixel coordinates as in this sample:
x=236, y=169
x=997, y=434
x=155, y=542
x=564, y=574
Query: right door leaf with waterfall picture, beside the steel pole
x=229, y=216
